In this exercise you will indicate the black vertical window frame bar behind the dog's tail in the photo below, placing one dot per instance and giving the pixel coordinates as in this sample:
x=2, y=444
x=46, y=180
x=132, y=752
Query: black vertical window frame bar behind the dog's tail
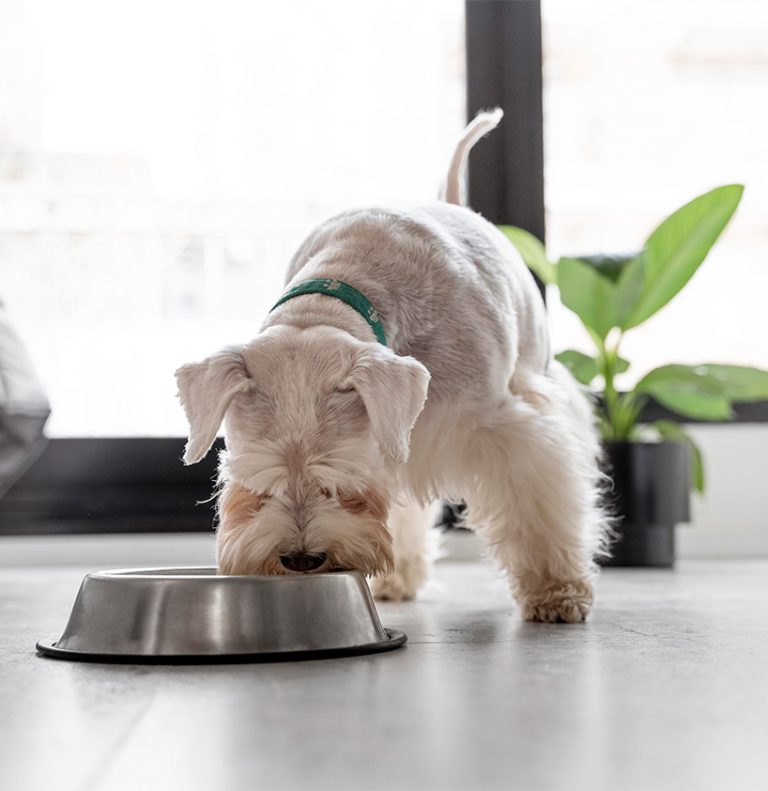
x=504, y=69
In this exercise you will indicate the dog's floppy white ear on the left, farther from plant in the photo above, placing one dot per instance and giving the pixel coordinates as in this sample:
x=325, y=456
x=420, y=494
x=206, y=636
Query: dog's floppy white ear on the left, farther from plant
x=205, y=391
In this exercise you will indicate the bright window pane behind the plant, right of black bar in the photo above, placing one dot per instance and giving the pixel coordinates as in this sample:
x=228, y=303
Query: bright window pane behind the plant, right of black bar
x=647, y=105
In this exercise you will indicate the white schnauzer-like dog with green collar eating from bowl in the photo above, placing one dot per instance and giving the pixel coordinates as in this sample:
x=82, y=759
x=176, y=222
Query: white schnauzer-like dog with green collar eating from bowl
x=407, y=361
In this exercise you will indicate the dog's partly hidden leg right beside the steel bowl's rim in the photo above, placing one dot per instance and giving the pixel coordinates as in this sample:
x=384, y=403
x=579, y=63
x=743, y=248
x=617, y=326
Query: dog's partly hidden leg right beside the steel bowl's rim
x=413, y=543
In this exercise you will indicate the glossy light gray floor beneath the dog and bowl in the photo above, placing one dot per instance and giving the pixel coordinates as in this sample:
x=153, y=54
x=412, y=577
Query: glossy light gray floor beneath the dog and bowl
x=666, y=687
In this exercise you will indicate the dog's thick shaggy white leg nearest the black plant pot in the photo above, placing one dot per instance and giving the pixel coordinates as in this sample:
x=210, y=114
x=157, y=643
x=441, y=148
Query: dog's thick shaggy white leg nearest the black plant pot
x=534, y=500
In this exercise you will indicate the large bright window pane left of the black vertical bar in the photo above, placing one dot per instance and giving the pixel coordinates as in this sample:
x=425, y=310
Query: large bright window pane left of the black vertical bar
x=159, y=163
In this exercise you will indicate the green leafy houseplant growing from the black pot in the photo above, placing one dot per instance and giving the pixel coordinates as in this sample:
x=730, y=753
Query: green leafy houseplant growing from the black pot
x=614, y=294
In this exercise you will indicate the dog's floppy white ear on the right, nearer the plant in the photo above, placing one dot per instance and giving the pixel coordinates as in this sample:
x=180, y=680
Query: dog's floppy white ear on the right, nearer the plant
x=393, y=390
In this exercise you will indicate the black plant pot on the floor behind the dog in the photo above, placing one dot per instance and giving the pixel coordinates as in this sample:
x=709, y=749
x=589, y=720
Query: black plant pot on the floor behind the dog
x=651, y=494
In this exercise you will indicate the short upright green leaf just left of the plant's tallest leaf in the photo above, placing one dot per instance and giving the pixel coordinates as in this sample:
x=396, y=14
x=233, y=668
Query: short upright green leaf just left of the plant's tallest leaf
x=590, y=295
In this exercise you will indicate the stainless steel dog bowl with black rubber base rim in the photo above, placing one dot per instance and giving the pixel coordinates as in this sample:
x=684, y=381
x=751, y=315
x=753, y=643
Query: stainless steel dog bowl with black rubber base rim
x=178, y=615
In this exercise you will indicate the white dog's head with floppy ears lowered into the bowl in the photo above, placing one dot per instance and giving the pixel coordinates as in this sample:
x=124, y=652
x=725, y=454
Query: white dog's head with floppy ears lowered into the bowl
x=315, y=422
